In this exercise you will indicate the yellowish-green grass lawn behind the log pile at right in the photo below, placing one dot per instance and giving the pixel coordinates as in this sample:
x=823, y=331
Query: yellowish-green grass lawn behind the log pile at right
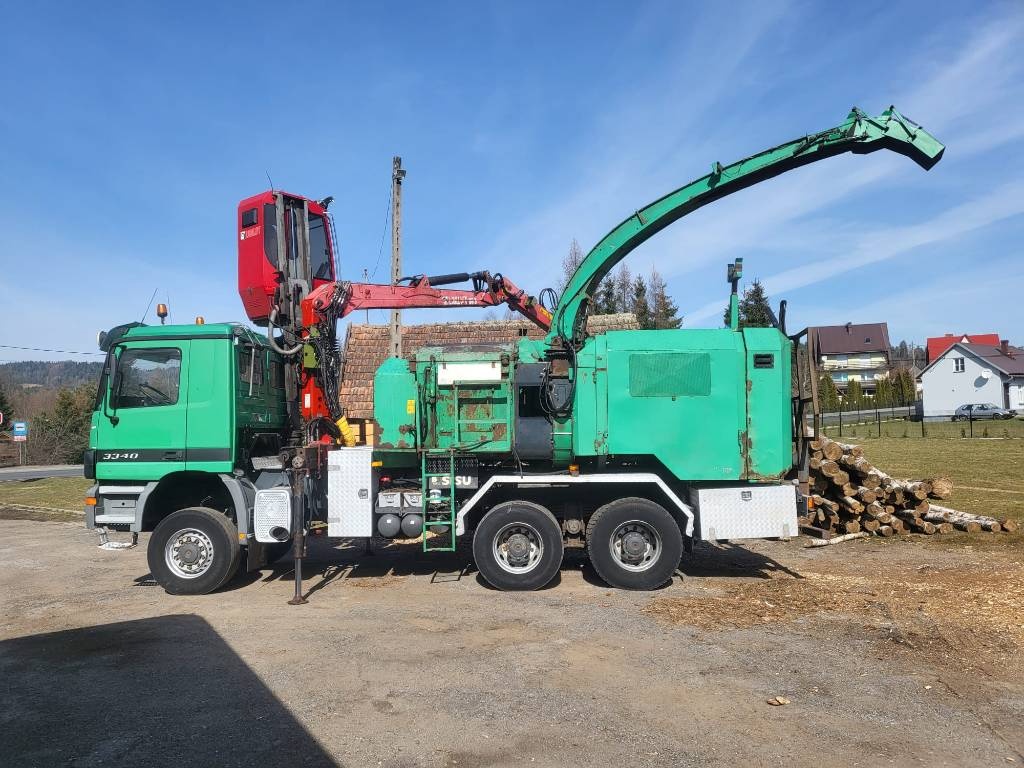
x=988, y=476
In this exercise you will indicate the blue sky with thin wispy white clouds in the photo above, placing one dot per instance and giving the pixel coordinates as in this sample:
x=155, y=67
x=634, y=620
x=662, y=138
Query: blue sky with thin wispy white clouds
x=131, y=132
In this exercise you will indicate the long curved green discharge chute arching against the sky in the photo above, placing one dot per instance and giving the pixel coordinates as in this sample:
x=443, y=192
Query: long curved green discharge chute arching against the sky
x=860, y=135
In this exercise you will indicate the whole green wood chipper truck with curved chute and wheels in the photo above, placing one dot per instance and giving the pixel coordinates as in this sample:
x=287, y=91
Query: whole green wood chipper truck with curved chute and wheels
x=627, y=445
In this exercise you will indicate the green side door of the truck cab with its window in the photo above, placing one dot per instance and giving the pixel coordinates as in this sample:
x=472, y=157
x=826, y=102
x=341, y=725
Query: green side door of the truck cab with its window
x=141, y=432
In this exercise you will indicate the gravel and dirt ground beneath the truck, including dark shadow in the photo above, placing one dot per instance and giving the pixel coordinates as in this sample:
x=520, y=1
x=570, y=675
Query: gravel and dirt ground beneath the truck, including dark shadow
x=407, y=660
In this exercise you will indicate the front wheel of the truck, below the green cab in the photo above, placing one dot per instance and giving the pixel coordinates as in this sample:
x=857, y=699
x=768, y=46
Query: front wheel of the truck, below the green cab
x=212, y=551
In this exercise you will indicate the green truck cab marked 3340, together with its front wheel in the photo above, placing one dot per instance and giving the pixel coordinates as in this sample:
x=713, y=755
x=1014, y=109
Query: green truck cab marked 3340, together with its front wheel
x=184, y=420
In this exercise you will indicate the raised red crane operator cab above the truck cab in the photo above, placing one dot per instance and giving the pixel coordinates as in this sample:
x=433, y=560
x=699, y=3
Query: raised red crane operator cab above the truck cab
x=286, y=250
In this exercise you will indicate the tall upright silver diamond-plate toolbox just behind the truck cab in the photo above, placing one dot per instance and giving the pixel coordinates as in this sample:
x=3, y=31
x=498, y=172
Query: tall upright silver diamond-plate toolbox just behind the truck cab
x=351, y=492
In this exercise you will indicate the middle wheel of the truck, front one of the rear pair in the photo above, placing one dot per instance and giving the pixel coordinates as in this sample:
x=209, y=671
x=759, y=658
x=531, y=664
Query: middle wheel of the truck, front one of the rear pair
x=499, y=542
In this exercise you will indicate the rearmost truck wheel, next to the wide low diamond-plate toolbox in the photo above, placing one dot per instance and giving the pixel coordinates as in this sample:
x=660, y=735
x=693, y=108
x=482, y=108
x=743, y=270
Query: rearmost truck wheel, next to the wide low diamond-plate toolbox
x=645, y=528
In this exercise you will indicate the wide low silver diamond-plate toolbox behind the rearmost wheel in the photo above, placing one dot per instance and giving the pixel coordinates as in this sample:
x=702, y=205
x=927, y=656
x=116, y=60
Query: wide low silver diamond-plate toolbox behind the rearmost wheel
x=746, y=513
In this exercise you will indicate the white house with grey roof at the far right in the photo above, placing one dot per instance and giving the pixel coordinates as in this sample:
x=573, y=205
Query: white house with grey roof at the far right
x=973, y=373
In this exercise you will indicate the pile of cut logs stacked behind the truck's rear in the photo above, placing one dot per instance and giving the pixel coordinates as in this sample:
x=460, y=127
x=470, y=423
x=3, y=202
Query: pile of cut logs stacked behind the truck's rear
x=849, y=495
